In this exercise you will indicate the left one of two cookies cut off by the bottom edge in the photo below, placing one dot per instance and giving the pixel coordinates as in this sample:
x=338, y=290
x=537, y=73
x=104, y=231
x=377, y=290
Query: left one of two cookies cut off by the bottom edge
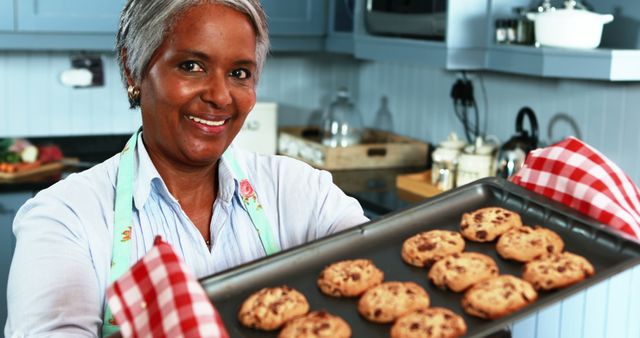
x=316, y=324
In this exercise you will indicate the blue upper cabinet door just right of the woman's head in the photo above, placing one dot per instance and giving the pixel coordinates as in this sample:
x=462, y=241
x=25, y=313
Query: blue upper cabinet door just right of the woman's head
x=296, y=17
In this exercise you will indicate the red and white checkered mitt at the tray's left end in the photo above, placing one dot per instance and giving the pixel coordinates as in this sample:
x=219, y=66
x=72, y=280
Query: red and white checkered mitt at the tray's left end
x=159, y=297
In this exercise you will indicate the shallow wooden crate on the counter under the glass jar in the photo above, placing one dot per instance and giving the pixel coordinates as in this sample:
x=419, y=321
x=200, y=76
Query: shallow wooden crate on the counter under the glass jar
x=379, y=149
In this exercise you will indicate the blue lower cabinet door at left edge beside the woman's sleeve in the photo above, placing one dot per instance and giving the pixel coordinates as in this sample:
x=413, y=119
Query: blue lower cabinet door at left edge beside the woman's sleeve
x=9, y=205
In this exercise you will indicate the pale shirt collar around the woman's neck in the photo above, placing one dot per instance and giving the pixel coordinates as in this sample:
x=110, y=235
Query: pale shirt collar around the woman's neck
x=148, y=178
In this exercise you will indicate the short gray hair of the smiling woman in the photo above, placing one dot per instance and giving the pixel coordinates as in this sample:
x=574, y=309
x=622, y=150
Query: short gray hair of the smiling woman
x=144, y=23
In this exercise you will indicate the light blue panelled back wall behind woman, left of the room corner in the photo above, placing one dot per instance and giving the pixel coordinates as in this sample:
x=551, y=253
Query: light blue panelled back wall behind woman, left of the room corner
x=34, y=103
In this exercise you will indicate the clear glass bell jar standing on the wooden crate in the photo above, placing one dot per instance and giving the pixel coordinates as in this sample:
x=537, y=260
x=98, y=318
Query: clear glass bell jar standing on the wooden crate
x=342, y=124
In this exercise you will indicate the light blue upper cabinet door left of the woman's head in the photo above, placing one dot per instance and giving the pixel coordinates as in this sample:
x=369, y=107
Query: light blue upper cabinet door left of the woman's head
x=76, y=16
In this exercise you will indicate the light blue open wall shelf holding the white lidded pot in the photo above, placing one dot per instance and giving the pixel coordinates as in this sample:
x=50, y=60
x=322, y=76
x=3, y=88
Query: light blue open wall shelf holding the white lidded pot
x=617, y=58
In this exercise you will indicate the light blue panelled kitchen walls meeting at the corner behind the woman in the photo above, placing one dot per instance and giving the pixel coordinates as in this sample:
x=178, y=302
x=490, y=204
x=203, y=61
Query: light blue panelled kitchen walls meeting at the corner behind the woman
x=34, y=103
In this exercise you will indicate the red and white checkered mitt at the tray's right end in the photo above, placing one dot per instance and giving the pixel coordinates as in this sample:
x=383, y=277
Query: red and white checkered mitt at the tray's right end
x=579, y=176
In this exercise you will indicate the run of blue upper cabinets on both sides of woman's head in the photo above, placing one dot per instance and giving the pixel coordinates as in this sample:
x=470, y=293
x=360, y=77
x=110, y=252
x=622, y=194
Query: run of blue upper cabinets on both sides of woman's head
x=295, y=25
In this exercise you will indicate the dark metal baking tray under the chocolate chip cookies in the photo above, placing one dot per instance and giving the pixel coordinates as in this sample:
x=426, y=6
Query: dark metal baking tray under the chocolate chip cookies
x=608, y=250
